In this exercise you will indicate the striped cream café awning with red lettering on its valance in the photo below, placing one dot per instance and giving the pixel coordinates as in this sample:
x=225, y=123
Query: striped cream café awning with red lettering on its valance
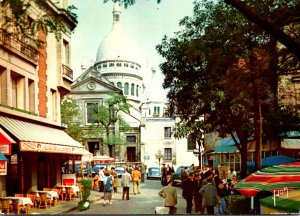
x=40, y=138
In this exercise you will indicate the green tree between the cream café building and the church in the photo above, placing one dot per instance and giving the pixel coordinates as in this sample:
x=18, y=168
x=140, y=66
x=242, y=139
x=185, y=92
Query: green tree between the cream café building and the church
x=70, y=116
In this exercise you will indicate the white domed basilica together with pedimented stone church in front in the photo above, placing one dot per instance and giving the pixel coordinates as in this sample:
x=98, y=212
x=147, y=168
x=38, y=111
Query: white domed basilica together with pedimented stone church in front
x=118, y=68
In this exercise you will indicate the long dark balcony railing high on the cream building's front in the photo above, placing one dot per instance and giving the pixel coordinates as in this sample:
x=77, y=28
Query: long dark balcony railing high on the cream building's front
x=15, y=44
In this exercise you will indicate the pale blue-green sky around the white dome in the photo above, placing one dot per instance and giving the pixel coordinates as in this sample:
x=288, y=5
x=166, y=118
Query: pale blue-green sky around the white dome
x=146, y=22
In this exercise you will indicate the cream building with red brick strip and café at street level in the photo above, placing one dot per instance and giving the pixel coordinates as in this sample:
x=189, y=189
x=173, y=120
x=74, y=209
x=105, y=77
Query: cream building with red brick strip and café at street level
x=32, y=82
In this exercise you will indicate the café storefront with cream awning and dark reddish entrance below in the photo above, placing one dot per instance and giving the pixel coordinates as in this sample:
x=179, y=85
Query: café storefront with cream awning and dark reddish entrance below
x=36, y=154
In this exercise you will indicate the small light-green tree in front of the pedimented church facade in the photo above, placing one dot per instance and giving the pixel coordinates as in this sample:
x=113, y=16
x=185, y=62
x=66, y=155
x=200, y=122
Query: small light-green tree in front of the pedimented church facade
x=107, y=115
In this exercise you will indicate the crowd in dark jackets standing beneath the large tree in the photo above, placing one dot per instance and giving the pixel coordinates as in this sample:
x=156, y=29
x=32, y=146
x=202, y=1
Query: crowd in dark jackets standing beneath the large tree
x=203, y=187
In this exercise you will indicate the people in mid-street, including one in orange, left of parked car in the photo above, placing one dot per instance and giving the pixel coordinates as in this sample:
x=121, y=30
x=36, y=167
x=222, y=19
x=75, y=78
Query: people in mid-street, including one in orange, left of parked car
x=107, y=181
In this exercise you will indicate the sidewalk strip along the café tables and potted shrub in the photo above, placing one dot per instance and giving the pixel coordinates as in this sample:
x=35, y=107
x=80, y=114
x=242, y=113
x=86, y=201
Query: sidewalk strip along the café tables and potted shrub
x=66, y=206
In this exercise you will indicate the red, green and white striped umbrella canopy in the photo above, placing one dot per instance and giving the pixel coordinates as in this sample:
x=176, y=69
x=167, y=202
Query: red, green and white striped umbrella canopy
x=270, y=178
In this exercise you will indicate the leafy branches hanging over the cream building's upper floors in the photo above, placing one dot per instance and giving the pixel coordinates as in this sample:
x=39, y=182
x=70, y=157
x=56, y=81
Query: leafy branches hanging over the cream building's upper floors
x=15, y=19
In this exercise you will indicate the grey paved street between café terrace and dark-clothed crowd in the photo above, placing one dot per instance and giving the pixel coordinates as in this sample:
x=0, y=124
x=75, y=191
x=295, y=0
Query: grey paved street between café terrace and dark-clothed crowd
x=143, y=203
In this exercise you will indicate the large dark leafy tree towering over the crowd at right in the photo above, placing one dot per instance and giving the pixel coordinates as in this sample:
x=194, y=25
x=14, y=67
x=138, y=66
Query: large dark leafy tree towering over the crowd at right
x=220, y=67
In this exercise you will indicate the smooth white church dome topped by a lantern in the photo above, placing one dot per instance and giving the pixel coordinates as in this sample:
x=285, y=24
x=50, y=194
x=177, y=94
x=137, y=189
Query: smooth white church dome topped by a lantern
x=117, y=45
